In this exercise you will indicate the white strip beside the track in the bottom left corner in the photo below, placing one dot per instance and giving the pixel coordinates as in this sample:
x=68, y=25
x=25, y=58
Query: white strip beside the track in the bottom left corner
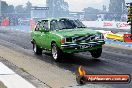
x=11, y=79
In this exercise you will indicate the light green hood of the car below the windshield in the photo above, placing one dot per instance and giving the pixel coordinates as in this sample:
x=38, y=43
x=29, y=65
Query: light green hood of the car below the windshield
x=75, y=32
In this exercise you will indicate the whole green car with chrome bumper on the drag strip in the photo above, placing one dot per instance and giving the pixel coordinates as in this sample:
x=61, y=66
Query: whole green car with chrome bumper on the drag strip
x=65, y=36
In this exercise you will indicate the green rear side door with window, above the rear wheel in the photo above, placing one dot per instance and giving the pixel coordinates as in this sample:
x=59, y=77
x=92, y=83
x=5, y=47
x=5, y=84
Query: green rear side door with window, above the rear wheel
x=37, y=35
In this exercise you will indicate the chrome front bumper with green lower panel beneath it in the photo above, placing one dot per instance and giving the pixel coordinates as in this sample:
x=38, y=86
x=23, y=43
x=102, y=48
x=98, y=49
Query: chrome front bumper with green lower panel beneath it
x=81, y=47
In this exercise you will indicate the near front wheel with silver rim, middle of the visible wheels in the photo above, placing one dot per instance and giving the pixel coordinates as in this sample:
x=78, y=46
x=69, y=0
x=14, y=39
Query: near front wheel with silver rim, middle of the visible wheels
x=56, y=52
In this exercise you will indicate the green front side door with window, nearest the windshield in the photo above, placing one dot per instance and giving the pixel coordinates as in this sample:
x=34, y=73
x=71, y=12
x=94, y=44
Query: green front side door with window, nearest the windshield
x=45, y=42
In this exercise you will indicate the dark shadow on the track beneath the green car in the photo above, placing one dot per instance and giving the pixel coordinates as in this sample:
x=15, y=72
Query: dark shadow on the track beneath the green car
x=72, y=61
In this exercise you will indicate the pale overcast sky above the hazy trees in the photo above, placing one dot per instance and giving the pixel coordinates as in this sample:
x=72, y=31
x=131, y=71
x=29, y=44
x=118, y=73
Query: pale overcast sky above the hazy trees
x=74, y=5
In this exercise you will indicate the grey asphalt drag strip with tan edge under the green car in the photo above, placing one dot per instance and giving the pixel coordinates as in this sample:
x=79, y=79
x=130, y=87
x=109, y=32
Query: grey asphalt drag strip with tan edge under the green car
x=16, y=48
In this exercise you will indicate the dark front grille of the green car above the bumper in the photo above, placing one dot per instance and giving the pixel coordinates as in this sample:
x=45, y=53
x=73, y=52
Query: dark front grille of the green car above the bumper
x=84, y=38
